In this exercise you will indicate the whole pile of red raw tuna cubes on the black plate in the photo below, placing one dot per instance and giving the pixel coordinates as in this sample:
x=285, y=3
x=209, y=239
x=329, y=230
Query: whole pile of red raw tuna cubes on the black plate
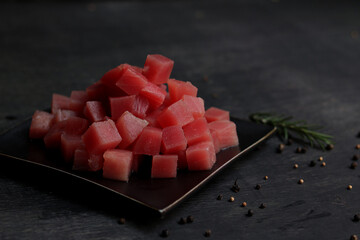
x=131, y=113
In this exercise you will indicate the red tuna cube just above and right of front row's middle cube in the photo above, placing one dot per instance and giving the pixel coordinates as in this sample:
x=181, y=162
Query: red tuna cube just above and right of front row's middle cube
x=173, y=140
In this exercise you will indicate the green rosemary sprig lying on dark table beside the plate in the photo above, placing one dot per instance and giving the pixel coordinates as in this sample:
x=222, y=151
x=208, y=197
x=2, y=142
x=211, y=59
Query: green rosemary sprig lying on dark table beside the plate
x=286, y=126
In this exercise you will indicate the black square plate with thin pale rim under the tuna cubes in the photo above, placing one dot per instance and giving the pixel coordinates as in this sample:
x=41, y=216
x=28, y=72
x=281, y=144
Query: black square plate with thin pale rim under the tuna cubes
x=158, y=194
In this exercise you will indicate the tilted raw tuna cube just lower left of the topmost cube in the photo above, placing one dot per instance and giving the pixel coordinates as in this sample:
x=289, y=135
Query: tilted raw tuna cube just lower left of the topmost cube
x=131, y=81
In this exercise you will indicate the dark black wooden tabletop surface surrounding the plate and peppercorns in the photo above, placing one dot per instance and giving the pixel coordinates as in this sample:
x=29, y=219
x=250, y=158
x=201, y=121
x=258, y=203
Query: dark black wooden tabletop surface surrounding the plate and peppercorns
x=300, y=58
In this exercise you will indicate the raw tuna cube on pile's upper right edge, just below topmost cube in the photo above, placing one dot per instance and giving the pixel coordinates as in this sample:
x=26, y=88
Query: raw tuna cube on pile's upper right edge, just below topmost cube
x=177, y=89
